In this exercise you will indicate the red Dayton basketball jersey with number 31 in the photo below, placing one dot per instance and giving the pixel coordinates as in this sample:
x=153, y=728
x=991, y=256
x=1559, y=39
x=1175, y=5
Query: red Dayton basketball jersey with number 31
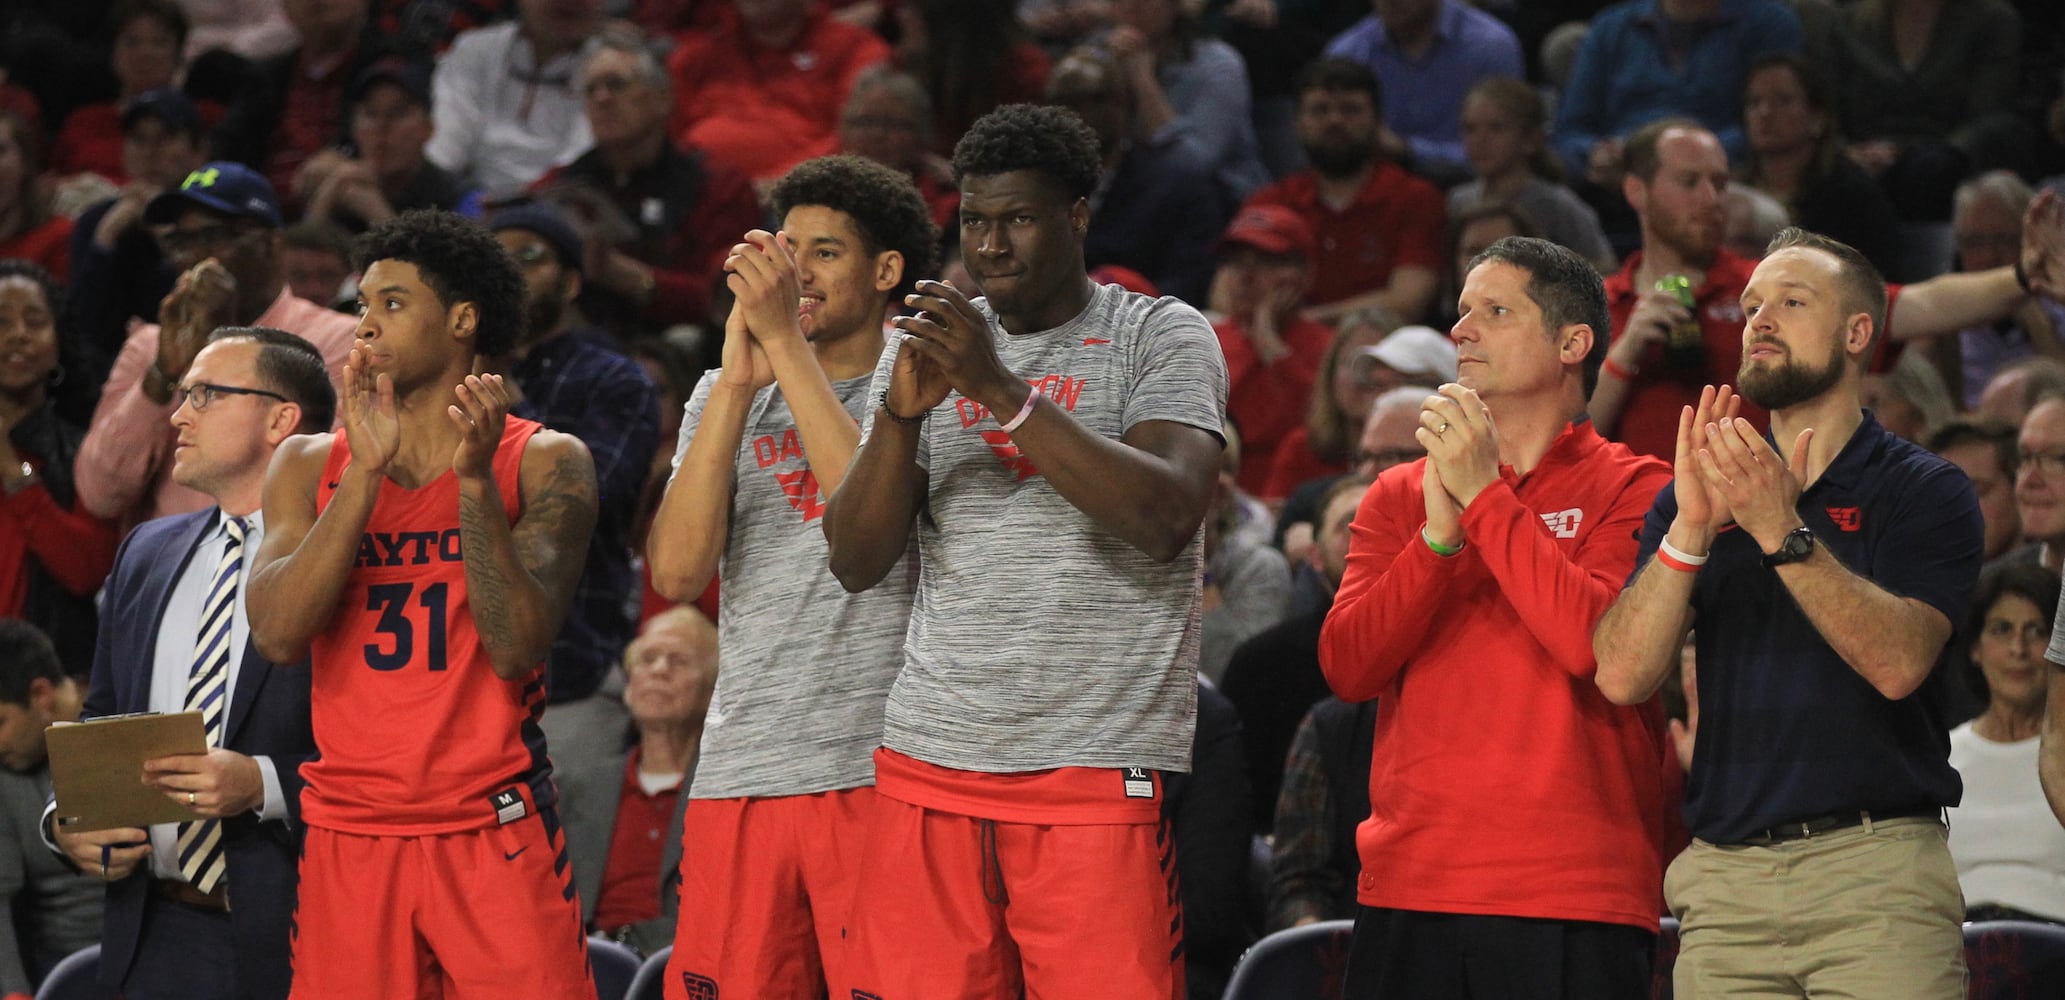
x=416, y=735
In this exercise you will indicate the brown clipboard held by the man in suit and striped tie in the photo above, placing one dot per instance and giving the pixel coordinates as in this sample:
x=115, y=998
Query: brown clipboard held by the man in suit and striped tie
x=96, y=768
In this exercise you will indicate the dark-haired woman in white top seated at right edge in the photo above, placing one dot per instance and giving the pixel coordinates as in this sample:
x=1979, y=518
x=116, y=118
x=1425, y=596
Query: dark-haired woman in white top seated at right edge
x=2010, y=850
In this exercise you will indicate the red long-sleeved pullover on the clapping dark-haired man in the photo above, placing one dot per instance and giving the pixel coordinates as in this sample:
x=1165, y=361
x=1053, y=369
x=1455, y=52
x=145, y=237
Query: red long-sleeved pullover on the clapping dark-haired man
x=1502, y=782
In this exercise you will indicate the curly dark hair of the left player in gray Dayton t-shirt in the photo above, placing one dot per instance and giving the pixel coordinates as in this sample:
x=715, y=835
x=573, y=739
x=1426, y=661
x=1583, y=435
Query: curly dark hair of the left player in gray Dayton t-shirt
x=883, y=204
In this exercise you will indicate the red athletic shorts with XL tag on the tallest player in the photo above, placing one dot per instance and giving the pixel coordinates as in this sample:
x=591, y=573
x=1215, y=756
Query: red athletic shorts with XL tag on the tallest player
x=967, y=908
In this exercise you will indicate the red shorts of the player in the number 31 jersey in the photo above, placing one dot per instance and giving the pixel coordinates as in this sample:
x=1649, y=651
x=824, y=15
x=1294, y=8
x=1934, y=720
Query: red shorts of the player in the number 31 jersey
x=480, y=914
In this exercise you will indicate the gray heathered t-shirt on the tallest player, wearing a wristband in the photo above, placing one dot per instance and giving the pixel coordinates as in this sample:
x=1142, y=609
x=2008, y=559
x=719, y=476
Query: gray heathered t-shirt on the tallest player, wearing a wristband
x=1038, y=637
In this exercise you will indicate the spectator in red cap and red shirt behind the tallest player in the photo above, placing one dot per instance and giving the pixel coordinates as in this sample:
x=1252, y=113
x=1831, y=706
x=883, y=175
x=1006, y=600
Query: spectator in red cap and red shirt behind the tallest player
x=1273, y=350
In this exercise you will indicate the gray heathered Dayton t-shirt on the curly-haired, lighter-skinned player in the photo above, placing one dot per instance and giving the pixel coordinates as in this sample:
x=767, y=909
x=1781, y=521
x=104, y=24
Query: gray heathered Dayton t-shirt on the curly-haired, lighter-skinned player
x=804, y=666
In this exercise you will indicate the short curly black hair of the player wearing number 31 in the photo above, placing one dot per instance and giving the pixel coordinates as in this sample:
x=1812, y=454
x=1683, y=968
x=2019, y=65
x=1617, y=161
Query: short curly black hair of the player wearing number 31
x=462, y=261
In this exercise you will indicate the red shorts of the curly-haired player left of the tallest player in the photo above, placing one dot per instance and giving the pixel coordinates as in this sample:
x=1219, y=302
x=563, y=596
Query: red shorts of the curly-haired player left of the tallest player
x=765, y=894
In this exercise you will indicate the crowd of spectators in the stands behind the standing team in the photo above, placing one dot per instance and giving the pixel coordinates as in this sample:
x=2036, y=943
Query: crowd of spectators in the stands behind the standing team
x=1312, y=175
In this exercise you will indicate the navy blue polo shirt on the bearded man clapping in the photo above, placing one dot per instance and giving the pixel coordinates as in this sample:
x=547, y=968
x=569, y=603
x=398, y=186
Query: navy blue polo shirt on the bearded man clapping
x=1787, y=730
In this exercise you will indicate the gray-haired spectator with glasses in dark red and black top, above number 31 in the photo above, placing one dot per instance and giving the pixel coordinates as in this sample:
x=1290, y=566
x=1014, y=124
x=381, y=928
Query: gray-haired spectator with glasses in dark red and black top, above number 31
x=658, y=218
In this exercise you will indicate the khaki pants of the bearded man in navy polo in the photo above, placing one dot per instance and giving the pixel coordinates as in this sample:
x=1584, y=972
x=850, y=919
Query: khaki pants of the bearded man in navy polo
x=1868, y=912
